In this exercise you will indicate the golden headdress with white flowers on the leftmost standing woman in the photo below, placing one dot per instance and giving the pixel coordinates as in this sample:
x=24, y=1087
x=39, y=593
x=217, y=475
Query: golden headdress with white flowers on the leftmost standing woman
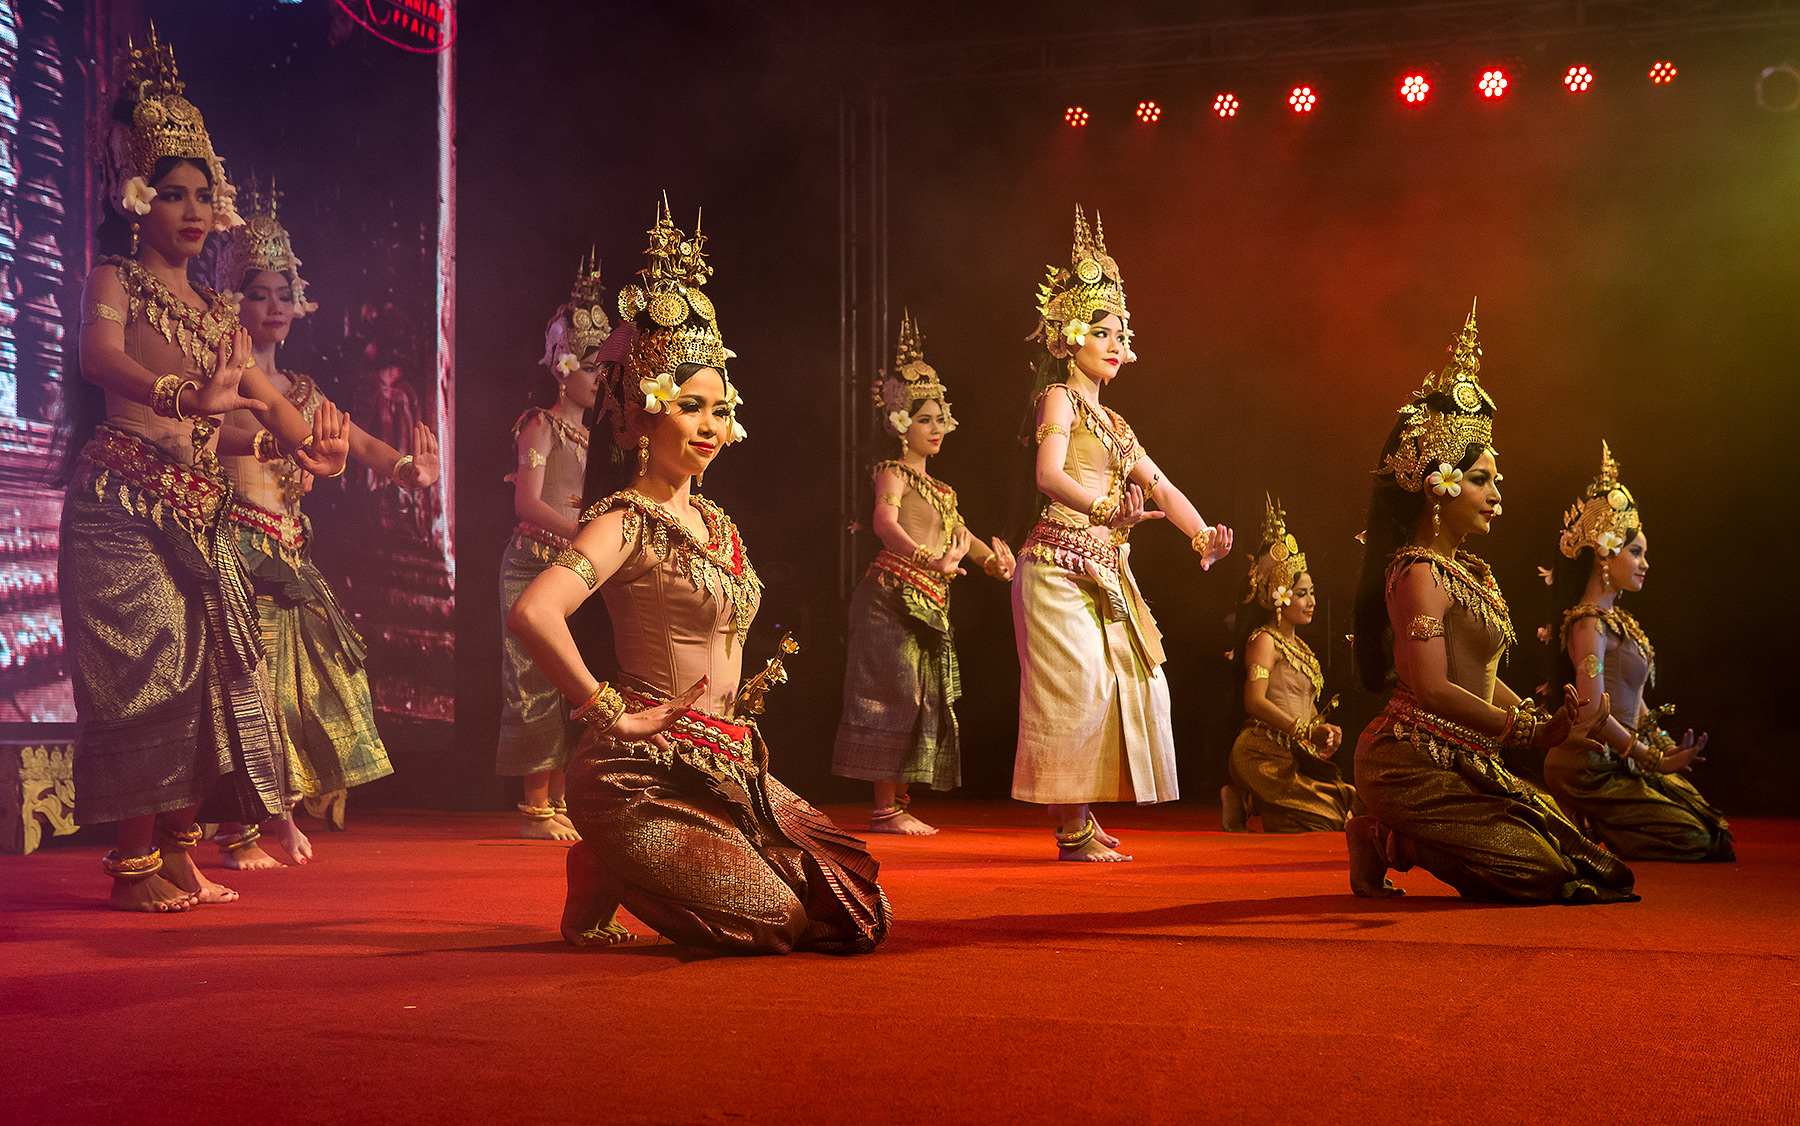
x=163, y=125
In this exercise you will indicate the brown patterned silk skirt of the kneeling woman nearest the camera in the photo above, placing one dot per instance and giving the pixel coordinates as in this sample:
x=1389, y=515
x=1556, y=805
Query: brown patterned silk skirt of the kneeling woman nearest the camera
x=724, y=864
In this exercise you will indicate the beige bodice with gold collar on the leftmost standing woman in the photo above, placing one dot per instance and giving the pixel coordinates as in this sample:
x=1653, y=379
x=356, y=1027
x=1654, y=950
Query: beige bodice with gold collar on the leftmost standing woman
x=165, y=337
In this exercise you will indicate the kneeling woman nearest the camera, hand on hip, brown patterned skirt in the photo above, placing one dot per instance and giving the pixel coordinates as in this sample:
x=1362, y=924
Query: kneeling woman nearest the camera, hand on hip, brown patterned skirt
x=681, y=821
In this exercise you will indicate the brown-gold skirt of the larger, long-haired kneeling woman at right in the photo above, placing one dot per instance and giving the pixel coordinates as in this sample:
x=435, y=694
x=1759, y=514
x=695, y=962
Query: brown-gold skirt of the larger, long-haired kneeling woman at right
x=1479, y=828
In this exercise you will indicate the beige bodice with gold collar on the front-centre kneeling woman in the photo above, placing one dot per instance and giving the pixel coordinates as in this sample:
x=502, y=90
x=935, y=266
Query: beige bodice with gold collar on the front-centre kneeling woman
x=679, y=607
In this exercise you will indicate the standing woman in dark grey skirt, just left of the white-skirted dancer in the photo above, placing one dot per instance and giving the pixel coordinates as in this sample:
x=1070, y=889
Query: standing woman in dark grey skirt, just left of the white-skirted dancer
x=903, y=681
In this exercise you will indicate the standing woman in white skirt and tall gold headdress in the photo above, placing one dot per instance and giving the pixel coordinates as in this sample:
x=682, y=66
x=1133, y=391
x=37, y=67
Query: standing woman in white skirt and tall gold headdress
x=1093, y=702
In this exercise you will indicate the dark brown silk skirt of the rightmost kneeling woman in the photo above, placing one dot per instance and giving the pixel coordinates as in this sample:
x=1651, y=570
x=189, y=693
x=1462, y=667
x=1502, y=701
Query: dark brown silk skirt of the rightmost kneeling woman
x=1639, y=816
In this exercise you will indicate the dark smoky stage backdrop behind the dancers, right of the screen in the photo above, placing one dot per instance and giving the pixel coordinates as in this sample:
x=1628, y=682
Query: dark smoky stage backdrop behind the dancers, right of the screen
x=1635, y=251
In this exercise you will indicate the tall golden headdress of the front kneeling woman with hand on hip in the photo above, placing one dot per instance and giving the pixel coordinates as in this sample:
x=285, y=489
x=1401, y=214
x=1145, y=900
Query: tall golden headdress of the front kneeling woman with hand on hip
x=687, y=326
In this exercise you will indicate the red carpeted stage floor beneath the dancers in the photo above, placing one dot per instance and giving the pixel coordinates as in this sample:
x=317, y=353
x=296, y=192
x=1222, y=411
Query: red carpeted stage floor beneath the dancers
x=413, y=974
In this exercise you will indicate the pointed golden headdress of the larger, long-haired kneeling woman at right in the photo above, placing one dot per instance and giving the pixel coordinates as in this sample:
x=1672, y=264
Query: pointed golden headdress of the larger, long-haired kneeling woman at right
x=1437, y=438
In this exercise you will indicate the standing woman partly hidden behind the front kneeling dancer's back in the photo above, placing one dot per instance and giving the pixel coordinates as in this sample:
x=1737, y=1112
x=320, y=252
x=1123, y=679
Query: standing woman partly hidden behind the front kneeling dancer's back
x=537, y=735
